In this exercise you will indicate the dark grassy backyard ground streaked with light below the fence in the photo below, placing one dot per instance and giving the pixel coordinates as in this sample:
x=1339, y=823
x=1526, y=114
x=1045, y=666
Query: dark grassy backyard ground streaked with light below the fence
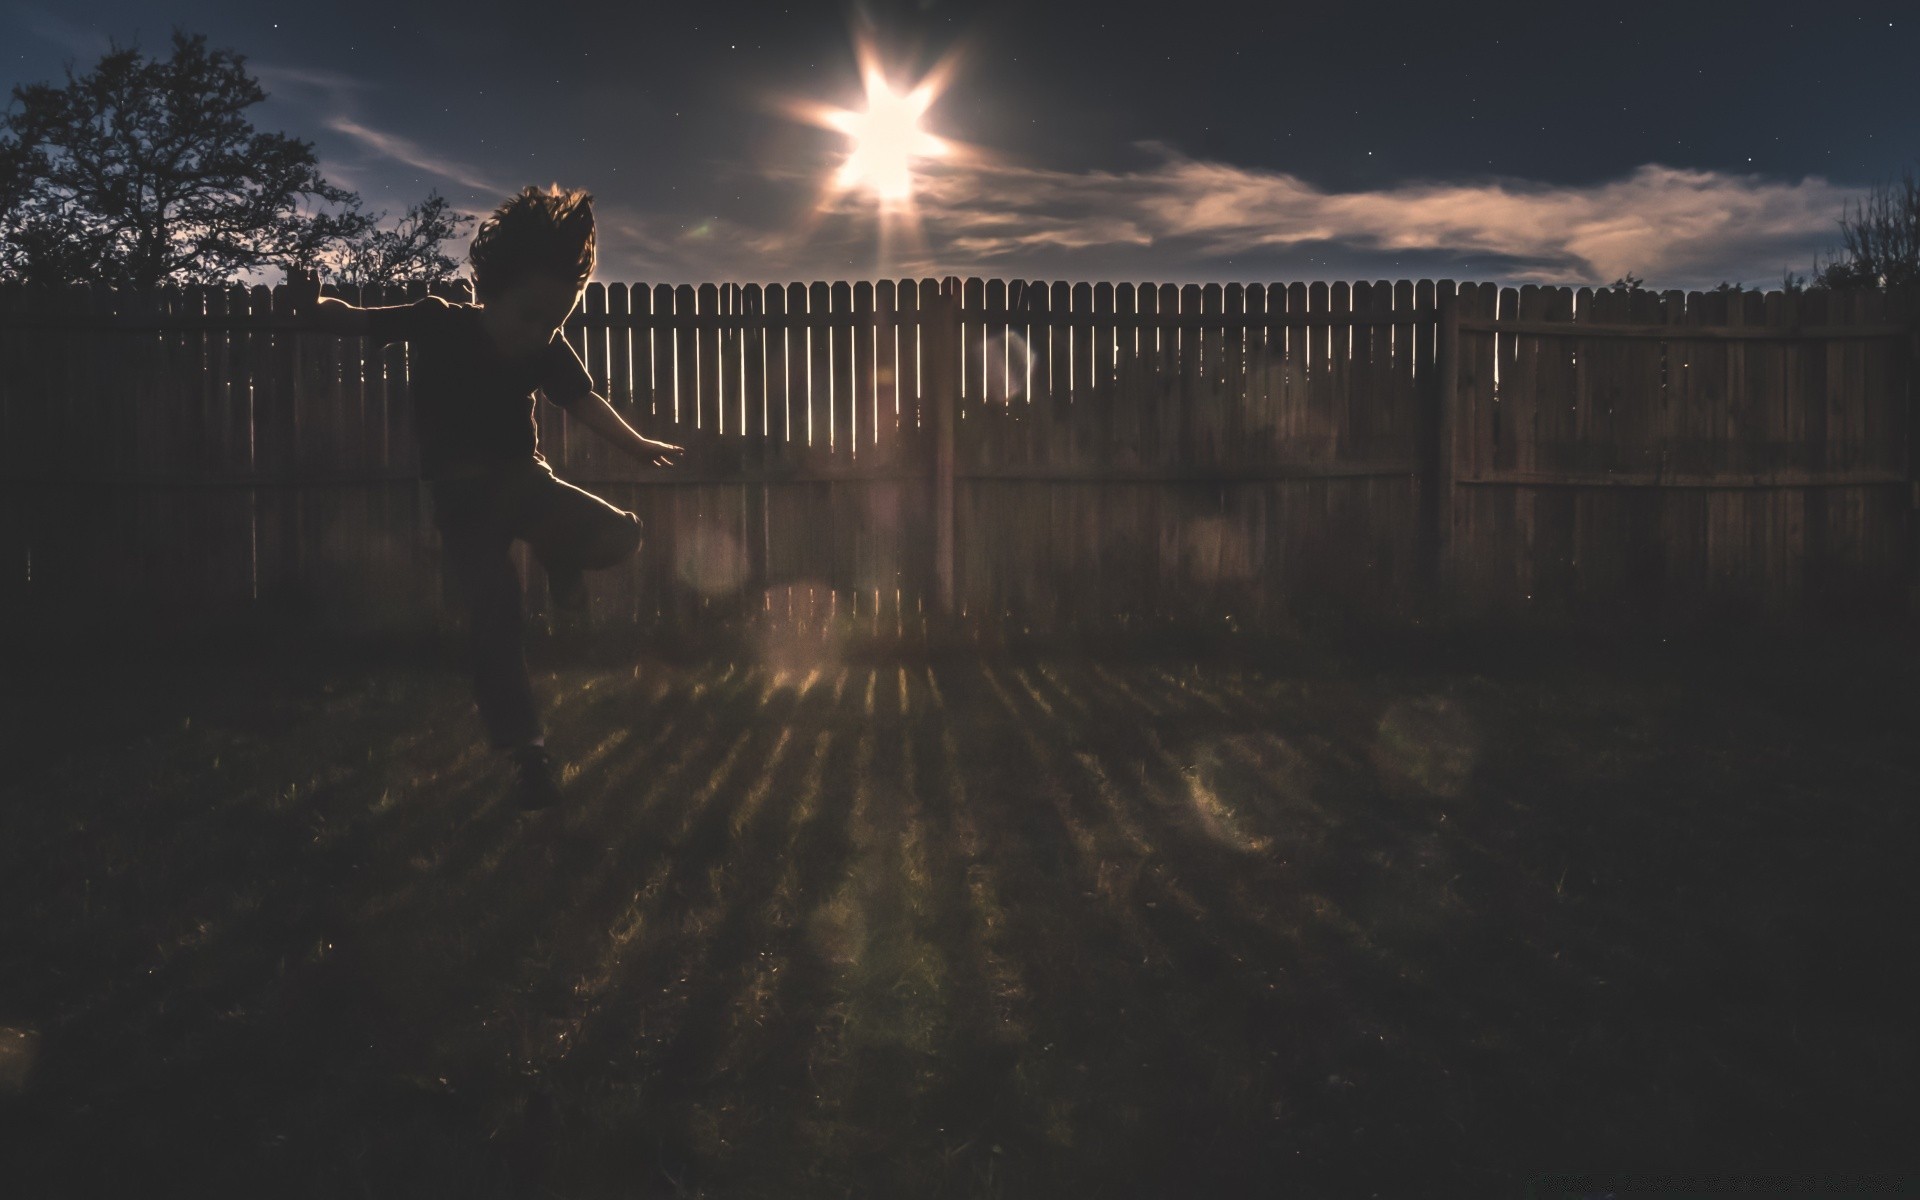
x=1403, y=915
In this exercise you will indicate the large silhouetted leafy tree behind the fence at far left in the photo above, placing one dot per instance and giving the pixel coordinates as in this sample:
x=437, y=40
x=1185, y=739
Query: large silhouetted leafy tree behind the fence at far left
x=147, y=172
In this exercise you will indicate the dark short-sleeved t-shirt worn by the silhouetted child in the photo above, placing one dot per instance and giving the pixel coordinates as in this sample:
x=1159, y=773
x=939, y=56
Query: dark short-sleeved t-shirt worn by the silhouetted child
x=473, y=410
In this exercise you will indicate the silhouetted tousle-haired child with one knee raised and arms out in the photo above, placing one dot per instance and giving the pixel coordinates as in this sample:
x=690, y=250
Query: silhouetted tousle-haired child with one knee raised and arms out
x=475, y=372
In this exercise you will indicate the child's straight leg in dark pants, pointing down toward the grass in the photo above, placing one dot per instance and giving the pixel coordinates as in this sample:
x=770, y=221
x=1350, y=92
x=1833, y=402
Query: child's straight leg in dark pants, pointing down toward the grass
x=483, y=569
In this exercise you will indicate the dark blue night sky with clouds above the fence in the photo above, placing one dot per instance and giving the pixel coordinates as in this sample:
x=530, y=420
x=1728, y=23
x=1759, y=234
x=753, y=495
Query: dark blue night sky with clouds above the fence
x=1687, y=143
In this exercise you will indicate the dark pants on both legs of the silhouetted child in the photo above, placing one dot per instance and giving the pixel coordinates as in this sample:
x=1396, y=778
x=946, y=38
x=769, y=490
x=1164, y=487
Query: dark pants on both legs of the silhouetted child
x=569, y=533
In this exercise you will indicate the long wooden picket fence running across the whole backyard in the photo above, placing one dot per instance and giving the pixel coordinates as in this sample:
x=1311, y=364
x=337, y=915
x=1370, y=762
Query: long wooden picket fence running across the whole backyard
x=1011, y=454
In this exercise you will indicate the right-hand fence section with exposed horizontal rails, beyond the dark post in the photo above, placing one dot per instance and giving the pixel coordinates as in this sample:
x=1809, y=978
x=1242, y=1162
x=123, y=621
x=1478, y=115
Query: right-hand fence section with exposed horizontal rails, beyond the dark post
x=1739, y=454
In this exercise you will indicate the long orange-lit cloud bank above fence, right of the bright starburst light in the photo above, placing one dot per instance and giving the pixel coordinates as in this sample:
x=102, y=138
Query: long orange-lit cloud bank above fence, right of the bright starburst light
x=1664, y=224
